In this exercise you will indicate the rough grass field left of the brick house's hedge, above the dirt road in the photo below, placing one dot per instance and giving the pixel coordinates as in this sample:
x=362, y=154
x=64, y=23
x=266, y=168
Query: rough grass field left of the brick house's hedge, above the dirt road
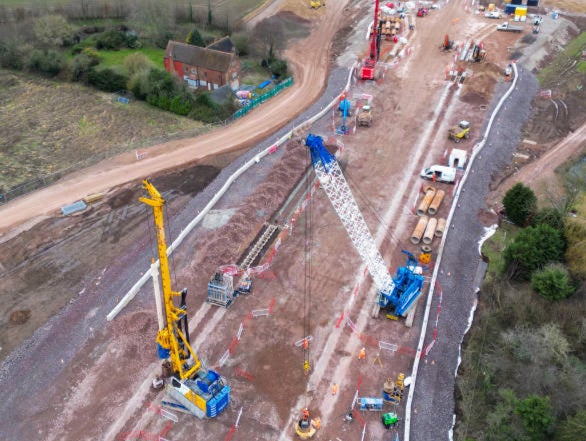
x=46, y=126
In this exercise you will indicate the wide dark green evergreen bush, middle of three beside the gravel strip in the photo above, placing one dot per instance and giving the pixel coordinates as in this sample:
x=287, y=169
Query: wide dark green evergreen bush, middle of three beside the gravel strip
x=532, y=249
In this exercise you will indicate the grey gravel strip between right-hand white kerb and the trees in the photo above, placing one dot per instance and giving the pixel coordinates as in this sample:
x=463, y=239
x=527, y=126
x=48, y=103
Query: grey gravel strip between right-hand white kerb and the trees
x=461, y=266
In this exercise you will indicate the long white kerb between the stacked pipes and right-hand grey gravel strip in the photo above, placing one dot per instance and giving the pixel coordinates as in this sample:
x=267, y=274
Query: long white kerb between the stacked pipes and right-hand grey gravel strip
x=475, y=152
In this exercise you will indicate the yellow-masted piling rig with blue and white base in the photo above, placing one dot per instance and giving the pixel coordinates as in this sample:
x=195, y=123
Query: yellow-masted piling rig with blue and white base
x=190, y=387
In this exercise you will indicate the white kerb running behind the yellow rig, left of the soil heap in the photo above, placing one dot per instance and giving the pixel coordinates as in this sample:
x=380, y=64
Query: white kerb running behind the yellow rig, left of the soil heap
x=130, y=294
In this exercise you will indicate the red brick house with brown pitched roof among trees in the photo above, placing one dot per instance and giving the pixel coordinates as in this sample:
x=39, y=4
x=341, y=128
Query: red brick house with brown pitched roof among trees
x=206, y=68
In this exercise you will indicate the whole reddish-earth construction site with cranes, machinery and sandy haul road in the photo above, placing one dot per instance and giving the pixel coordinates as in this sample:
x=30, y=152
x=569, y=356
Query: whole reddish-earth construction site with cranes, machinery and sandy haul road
x=282, y=278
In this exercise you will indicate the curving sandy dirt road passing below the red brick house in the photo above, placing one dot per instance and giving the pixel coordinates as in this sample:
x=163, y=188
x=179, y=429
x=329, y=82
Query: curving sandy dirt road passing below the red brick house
x=309, y=74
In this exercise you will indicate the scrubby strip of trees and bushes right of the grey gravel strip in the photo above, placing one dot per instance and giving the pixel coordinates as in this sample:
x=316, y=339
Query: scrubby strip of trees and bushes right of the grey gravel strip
x=523, y=371
